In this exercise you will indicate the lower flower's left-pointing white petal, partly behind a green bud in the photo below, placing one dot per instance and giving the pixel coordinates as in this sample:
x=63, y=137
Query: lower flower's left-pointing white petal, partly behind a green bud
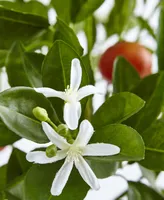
x=41, y=158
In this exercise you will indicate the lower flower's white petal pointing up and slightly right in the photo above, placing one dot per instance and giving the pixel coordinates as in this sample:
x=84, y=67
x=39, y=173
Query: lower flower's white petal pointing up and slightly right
x=85, y=133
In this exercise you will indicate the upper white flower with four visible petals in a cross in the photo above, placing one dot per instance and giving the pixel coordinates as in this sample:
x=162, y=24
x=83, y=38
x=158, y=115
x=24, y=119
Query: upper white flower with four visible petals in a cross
x=72, y=95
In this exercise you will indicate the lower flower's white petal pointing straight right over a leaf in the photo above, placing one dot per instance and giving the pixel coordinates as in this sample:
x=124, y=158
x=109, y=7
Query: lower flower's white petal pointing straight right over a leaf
x=100, y=149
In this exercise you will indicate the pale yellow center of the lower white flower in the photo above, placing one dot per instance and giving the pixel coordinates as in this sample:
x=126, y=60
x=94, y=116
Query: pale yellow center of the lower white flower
x=74, y=153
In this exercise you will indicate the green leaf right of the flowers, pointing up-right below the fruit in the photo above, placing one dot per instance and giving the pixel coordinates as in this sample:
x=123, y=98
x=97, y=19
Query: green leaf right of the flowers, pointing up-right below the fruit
x=116, y=109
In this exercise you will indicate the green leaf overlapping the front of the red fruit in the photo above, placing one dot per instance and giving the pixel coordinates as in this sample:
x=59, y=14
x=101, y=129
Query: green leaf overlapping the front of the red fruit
x=125, y=76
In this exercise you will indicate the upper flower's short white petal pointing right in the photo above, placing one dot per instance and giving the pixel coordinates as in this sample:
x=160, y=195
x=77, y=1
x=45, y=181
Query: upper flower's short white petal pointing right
x=86, y=91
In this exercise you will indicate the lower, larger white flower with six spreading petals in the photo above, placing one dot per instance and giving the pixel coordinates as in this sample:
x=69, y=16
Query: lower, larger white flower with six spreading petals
x=74, y=155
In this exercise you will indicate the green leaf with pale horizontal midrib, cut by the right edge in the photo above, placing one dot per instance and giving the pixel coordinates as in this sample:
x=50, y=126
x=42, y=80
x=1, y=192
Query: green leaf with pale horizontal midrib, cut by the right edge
x=153, y=138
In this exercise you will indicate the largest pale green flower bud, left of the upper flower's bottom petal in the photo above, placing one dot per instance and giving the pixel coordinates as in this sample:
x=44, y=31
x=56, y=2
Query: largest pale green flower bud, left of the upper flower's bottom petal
x=40, y=114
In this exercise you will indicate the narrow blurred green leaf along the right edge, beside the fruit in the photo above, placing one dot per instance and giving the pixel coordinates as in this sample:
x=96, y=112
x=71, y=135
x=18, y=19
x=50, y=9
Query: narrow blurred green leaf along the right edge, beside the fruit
x=160, y=40
